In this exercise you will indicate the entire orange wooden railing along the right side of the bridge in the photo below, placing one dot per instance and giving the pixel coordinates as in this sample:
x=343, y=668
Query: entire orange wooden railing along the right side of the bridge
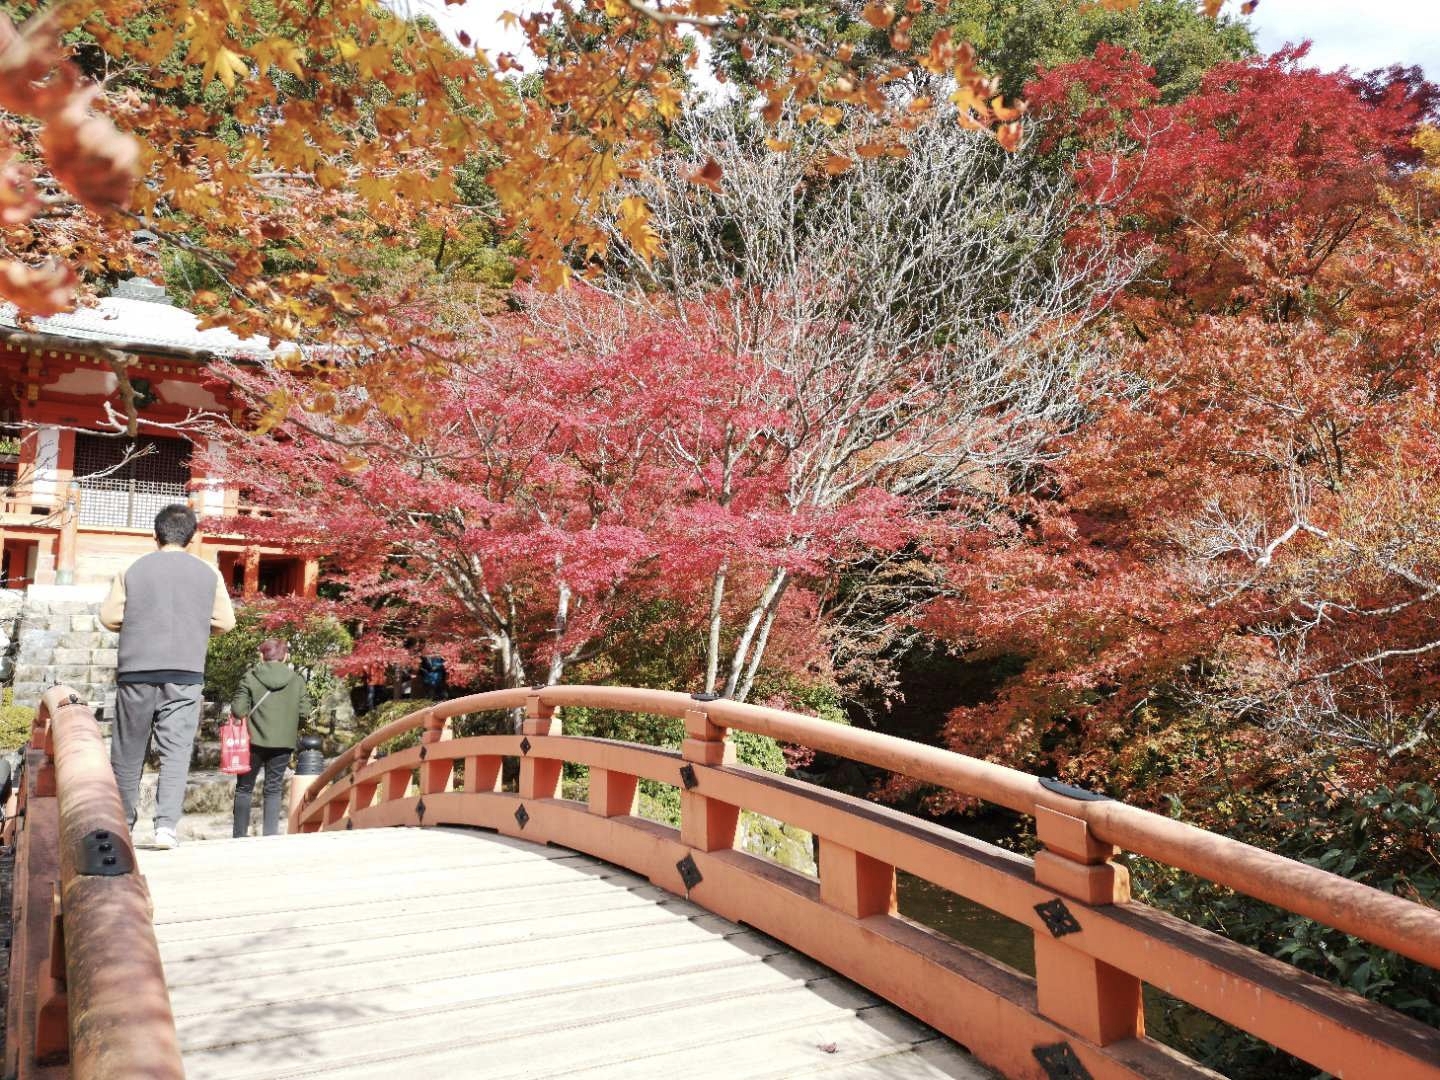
x=1095, y=948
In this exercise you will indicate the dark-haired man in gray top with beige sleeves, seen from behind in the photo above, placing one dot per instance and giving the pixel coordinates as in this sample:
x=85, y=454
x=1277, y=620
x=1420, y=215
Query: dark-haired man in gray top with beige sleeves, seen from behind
x=166, y=606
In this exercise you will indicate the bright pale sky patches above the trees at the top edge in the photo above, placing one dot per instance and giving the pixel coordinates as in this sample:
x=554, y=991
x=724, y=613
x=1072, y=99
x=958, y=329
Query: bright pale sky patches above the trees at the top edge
x=1360, y=34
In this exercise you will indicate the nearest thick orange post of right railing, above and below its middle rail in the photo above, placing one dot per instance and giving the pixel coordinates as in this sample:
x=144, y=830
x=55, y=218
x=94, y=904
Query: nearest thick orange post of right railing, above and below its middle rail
x=1095, y=1000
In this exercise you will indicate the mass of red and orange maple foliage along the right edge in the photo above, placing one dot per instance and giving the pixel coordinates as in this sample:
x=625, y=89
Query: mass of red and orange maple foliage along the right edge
x=1241, y=548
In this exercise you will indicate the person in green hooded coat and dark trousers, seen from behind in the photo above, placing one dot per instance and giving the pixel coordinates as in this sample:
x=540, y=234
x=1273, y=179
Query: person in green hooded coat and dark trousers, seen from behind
x=273, y=699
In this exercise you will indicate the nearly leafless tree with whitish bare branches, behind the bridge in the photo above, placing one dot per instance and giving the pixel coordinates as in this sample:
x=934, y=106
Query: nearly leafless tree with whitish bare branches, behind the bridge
x=921, y=328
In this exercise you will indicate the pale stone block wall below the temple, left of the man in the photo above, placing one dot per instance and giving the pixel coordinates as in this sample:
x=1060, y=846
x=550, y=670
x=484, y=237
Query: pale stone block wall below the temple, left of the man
x=61, y=642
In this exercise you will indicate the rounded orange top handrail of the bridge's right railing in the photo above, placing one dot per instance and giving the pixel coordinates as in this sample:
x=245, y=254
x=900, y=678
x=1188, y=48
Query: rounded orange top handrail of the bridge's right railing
x=1353, y=908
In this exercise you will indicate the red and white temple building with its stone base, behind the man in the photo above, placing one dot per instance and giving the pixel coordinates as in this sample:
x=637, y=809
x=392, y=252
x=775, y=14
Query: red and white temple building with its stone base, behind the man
x=80, y=496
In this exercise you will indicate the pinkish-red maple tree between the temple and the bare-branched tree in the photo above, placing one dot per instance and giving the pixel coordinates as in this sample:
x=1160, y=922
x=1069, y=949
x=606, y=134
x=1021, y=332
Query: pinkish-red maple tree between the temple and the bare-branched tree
x=551, y=495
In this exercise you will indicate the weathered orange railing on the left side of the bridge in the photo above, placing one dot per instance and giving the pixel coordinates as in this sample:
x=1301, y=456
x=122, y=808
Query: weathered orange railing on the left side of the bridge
x=87, y=994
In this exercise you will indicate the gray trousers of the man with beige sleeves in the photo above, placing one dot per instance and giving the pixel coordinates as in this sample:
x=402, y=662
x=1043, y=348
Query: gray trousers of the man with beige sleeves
x=172, y=714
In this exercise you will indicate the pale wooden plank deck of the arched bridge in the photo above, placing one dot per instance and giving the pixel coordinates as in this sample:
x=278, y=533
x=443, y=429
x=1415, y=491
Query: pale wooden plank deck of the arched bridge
x=457, y=954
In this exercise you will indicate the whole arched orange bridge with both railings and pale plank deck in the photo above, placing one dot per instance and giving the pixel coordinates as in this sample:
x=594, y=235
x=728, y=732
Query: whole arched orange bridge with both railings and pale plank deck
x=549, y=935
